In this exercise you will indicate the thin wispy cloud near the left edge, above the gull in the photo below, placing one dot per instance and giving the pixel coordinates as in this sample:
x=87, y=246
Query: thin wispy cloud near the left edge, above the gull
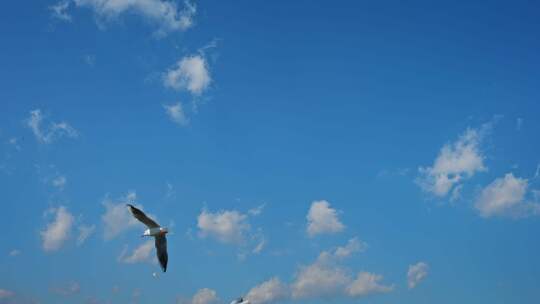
x=50, y=133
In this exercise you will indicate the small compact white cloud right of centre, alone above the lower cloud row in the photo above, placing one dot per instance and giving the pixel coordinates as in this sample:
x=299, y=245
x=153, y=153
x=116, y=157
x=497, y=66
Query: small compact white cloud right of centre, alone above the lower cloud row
x=322, y=219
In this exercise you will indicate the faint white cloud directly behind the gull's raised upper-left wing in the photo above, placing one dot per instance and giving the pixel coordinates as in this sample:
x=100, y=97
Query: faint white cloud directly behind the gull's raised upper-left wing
x=117, y=218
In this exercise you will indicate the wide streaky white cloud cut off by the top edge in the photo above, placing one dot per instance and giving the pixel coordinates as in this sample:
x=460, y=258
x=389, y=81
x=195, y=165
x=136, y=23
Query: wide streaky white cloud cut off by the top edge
x=165, y=14
